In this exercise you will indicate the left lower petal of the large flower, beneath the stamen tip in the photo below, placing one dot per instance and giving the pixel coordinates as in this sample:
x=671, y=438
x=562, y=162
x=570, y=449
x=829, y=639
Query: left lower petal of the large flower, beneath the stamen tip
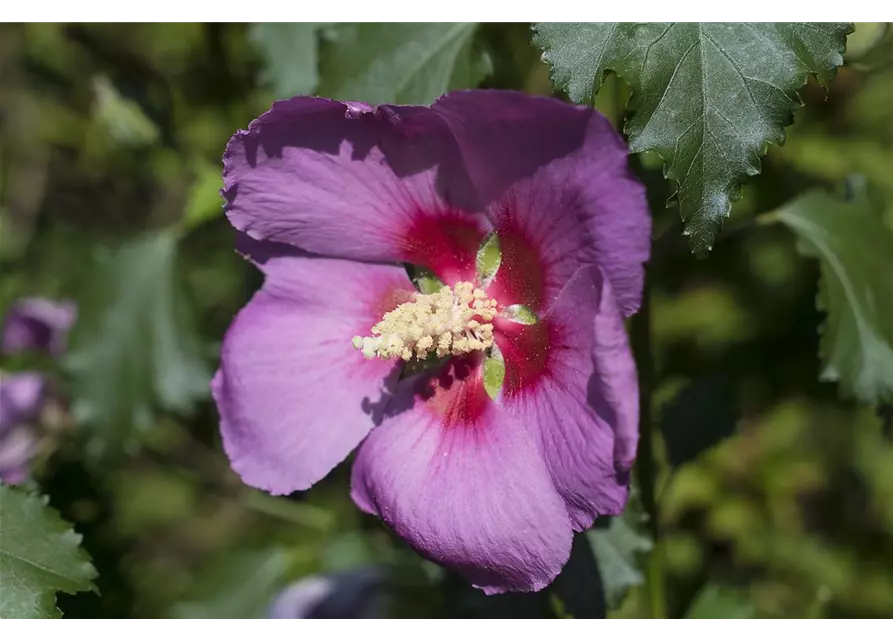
x=293, y=394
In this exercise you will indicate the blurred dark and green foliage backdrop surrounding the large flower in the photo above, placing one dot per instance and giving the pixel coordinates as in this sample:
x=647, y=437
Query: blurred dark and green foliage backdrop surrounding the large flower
x=776, y=496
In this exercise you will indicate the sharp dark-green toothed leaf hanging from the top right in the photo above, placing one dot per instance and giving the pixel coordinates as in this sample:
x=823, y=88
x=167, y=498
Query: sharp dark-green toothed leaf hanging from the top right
x=707, y=97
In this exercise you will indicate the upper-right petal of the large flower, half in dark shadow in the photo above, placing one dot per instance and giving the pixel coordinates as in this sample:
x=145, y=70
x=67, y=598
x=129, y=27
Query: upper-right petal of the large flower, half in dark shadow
x=558, y=189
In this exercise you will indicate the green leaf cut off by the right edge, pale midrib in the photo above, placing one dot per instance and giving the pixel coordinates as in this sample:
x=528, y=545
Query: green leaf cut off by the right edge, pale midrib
x=855, y=249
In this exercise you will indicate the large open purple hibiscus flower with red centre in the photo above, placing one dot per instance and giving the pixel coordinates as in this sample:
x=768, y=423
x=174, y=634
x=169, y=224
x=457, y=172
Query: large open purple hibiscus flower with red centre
x=332, y=201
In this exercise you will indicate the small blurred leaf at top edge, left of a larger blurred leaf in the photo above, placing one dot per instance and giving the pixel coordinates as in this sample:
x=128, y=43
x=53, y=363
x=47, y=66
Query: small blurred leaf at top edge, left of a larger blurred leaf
x=289, y=48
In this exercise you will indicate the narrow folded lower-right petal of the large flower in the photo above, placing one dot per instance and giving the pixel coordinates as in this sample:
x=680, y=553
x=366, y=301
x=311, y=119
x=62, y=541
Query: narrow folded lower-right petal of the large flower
x=572, y=380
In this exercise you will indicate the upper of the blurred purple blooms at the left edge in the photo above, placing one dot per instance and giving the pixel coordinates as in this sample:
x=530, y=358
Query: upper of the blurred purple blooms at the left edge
x=37, y=323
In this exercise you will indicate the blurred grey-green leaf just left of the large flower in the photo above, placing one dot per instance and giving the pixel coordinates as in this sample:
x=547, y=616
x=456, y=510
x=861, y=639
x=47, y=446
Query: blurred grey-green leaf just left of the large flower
x=133, y=347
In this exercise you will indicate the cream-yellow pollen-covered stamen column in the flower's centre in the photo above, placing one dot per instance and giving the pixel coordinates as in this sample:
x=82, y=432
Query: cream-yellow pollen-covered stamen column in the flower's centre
x=452, y=321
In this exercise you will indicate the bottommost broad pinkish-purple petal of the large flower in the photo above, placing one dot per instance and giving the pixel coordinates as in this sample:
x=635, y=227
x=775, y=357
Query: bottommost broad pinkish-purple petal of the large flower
x=464, y=483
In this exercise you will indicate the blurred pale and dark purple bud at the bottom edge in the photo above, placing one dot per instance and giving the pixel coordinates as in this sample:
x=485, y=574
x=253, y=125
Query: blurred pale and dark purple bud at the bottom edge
x=352, y=596
